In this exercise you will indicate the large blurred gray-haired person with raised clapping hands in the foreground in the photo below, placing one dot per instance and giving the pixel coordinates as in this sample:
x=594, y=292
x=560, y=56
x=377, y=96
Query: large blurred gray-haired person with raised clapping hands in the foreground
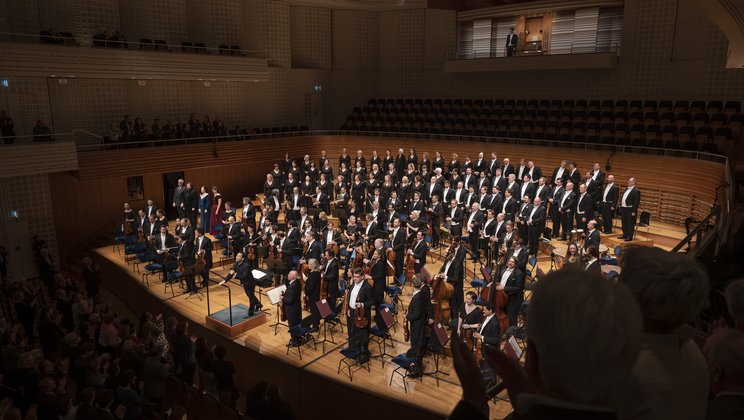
x=583, y=341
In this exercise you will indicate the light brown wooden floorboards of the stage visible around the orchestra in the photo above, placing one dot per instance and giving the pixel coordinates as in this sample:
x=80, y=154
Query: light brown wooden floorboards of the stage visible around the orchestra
x=439, y=399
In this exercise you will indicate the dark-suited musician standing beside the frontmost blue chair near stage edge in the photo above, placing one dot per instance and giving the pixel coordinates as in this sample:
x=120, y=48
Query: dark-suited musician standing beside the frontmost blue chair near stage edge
x=419, y=313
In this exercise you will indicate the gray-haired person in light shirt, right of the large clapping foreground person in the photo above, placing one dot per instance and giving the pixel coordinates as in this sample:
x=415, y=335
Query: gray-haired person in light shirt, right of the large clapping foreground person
x=671, y=289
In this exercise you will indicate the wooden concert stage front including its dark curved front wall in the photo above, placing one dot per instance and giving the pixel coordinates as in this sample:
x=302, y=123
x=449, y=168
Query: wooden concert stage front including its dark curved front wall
x=311, y=385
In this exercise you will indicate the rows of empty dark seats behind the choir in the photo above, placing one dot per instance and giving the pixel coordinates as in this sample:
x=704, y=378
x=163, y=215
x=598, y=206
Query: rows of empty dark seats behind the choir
x=663, y=124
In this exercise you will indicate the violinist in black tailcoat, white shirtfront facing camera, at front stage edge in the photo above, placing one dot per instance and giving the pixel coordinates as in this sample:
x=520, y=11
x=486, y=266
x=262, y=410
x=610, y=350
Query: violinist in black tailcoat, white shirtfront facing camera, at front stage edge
x=359, y=296
